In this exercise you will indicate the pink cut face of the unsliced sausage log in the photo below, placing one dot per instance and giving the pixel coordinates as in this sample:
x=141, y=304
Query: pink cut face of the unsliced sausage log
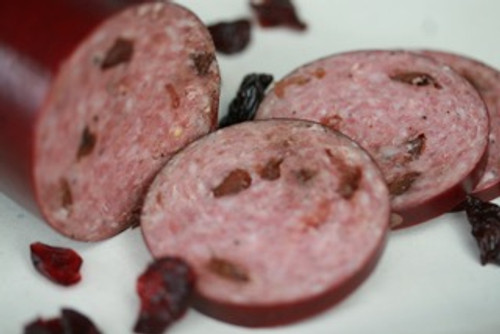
x=140, y=87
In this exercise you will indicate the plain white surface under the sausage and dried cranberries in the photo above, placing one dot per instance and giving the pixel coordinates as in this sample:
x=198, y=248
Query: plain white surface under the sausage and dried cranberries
x=429, y=279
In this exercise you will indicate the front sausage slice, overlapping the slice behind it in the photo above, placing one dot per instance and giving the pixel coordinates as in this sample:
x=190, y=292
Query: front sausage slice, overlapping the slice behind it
x=280, y=219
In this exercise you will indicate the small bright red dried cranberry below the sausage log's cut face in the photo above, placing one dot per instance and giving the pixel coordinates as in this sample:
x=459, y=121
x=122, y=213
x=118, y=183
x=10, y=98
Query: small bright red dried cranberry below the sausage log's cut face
x=60, y=265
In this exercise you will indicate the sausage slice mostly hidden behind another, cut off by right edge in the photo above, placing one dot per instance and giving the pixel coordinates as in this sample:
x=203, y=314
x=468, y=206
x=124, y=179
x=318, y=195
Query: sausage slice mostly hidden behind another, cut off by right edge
x=487, y=82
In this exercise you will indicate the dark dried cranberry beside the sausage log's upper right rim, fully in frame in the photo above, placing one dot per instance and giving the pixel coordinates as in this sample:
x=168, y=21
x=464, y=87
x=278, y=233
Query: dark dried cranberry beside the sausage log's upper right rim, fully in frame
x=231, y=37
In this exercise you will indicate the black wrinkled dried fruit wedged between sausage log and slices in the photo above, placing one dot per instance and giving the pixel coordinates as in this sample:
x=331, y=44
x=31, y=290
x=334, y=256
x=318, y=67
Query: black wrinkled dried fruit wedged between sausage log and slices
x=248, y=98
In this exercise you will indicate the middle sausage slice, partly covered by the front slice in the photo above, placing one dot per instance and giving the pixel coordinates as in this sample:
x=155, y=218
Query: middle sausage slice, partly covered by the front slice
x=425, y=125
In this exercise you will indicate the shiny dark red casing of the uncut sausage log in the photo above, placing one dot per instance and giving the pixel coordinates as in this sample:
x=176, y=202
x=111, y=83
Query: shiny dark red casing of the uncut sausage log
x=34, y=40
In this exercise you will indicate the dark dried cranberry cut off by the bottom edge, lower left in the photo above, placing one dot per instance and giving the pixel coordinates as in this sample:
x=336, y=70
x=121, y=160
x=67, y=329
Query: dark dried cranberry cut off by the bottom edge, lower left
x=70, y=322
